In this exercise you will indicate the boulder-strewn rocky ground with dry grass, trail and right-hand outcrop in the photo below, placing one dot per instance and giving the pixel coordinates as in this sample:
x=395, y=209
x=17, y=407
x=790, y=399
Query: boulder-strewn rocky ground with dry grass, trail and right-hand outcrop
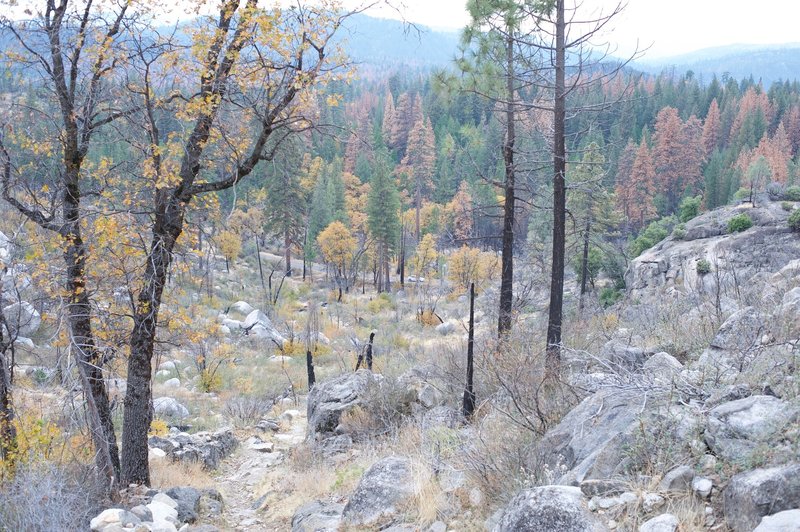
x=677, y=410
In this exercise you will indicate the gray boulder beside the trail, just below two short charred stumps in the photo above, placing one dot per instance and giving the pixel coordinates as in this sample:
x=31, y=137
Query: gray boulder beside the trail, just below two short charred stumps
x=328, y=400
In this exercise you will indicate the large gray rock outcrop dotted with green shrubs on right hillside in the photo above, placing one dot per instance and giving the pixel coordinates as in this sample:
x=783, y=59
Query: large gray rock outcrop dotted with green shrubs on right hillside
x=670, y=267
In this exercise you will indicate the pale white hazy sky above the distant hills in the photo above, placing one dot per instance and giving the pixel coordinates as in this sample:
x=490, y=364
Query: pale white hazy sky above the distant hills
x=668, y=27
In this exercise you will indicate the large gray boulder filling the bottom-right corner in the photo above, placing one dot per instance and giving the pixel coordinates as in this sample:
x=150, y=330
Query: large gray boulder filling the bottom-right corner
x=754, y=494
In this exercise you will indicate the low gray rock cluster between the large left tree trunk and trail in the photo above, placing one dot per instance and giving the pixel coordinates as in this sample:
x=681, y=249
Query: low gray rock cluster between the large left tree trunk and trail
x=204, y=447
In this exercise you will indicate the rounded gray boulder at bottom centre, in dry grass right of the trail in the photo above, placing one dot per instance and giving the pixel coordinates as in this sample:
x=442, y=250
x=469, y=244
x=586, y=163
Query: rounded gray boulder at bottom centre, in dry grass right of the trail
x=384, y=490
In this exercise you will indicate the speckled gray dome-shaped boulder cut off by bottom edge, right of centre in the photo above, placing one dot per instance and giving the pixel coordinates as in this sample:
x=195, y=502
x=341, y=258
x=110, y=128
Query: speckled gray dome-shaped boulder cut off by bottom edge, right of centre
x=548, y=508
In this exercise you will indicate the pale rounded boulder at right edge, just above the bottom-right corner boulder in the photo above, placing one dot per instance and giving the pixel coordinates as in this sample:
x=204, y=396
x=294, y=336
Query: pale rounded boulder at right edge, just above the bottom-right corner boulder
x=734, y=429
